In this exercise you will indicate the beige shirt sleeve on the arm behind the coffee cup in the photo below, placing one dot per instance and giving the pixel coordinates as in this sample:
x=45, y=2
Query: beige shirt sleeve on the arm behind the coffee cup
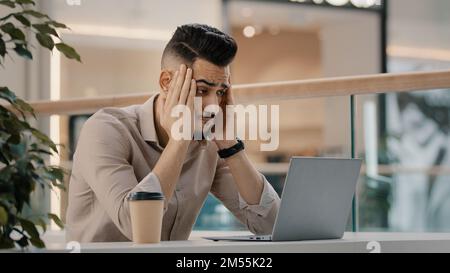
x=103, y=160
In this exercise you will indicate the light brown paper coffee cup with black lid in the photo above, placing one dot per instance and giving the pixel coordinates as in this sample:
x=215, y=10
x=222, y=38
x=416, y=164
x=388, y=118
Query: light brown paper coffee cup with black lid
x=146, y=210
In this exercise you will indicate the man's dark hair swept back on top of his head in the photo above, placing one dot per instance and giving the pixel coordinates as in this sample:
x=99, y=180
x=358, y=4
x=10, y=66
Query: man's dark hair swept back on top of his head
x=194, y=41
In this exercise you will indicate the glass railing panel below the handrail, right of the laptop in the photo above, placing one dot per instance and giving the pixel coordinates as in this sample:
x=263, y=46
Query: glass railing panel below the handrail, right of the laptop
x=406, y=182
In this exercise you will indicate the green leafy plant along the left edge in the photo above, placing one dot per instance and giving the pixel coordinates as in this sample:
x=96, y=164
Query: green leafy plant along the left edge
x=23, y=149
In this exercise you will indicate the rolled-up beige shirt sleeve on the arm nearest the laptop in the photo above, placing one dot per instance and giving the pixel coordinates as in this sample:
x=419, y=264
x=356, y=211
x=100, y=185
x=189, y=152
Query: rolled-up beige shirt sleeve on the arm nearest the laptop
x=259, y=218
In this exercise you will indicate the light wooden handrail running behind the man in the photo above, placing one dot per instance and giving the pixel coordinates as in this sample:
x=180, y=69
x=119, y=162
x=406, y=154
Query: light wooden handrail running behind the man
x=285, y=90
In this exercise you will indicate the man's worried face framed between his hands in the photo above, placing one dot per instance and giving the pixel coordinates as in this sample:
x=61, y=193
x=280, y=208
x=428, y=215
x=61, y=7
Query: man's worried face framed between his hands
x=213, y=83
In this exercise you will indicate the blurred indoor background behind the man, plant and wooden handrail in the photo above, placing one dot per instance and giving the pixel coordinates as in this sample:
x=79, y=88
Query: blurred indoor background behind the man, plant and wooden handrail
x=403, y=138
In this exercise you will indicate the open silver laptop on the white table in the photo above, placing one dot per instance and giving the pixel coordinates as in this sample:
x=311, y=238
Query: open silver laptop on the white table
x=315, y=203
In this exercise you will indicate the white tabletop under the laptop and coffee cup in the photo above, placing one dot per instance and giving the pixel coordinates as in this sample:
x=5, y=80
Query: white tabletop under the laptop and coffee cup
x=362, y=242
